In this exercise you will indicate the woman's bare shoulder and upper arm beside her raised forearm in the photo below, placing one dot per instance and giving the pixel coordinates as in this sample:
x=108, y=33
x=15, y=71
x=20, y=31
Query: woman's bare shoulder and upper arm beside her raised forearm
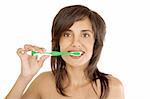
x=42, y=83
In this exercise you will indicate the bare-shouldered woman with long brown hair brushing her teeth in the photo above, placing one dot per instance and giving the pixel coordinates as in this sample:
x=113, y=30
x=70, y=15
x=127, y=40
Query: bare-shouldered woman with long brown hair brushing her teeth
x=75, y=28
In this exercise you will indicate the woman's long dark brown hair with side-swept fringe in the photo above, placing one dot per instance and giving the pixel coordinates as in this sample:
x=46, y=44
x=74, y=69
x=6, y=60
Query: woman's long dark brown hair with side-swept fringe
x=62, y=22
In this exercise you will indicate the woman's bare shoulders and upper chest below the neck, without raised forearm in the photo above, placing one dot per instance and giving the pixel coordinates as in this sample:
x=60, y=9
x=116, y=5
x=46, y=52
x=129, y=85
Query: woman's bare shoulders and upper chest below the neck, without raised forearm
x=47, y=90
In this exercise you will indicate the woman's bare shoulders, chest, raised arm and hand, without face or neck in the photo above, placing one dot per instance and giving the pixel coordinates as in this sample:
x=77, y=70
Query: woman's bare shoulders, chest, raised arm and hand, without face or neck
x=43, y=87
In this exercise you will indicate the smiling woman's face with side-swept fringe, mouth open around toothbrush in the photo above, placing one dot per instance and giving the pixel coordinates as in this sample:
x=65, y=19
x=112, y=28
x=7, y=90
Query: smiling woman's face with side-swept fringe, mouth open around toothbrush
x=79, y=37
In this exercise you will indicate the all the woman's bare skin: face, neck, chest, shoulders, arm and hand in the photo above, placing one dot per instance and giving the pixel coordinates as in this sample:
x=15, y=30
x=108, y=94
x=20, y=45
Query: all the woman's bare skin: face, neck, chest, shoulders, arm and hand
x=43, y=87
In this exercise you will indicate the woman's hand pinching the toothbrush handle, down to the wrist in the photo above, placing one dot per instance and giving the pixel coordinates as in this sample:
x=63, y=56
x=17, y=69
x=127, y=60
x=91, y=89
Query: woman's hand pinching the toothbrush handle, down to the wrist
x=30, y=65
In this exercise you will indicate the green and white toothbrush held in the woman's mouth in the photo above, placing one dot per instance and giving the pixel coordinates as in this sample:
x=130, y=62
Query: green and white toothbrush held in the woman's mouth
x=56, y=53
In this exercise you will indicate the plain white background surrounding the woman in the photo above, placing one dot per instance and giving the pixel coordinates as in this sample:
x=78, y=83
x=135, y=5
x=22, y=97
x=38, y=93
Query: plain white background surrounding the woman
x=125, y=54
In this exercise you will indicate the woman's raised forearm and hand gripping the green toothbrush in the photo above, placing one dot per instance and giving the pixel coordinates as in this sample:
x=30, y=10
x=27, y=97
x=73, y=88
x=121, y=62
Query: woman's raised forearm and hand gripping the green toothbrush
x=29, y=67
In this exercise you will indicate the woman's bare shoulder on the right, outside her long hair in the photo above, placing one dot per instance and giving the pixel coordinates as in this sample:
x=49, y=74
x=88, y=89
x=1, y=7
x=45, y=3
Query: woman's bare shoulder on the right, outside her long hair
x=116, y=88
